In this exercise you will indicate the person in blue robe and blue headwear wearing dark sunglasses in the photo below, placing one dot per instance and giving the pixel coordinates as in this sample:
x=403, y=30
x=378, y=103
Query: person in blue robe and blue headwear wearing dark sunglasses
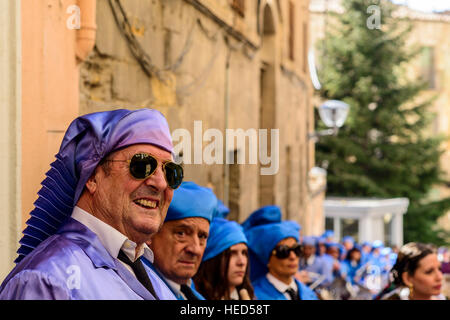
x=276, y=249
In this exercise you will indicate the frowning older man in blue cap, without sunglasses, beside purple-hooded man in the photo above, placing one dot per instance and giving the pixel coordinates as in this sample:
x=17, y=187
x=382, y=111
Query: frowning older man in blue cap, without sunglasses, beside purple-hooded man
x=179, y=245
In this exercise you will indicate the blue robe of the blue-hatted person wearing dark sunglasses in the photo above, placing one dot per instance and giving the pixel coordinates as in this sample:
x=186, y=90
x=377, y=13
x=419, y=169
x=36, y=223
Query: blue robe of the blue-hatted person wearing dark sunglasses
x=264, y=290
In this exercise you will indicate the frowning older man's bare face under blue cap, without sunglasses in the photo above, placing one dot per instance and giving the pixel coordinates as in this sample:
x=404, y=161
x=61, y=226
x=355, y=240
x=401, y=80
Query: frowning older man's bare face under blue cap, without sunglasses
x=178, y=247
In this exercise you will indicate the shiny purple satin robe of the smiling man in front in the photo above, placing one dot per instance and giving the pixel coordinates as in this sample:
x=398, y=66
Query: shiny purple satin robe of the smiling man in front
x=74, y=265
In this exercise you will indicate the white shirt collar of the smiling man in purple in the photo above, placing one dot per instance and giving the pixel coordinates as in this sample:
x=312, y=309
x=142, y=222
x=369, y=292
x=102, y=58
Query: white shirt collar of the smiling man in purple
x=112, y=239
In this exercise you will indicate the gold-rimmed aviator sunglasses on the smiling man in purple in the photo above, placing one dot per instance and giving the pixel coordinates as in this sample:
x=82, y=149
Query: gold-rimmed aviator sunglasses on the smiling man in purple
x=143, y=165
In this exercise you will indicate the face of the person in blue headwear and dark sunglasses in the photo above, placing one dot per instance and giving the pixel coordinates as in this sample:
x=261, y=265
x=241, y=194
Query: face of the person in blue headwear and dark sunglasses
x=284, y=268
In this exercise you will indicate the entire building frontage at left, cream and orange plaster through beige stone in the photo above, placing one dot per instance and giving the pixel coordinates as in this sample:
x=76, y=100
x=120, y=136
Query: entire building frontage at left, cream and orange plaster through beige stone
x=205, y=64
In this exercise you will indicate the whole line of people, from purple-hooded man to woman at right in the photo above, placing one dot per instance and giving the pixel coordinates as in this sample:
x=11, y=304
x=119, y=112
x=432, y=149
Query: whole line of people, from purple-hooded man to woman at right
x=115, y=220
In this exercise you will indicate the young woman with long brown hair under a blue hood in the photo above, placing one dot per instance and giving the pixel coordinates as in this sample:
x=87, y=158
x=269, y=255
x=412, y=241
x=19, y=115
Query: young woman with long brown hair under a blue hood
x=224, y=273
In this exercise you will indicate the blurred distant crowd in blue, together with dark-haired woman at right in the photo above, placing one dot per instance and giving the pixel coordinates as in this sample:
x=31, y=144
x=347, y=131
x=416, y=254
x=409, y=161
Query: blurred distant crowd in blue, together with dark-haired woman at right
x=348, y=270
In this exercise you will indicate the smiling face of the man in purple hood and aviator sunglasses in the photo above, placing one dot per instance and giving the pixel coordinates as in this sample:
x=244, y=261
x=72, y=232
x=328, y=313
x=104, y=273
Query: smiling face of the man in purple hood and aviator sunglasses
x=137, y=208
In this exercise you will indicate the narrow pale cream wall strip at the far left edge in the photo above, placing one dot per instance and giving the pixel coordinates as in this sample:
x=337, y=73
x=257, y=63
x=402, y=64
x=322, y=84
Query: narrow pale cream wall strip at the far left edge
x=10, y=114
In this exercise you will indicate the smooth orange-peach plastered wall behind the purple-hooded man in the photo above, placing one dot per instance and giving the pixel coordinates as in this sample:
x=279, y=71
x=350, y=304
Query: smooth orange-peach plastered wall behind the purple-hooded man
x=50, y=89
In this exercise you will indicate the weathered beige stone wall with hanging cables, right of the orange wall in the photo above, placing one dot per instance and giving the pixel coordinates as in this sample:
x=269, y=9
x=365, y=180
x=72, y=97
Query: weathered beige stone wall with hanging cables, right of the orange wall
x=203, y=88
